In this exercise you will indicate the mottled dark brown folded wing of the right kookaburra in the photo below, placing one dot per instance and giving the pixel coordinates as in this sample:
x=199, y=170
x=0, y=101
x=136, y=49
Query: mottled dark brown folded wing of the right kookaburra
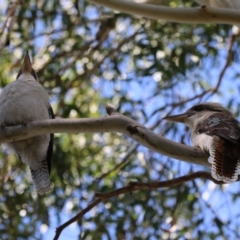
x=221, y=125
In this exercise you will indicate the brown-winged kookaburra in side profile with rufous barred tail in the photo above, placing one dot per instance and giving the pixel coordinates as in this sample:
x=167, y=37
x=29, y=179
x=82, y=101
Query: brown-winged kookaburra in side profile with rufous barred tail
x=215, y=130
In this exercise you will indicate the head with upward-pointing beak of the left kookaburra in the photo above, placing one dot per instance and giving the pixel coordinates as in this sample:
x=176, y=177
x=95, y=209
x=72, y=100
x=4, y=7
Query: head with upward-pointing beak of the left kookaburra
x=26, y=71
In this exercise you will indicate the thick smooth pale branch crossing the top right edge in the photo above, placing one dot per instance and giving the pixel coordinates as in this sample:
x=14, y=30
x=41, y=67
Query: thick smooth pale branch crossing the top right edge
x=180, y=15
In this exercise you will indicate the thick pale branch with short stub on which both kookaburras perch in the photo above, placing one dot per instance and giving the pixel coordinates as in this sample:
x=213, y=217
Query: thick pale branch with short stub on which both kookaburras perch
x=116, y=122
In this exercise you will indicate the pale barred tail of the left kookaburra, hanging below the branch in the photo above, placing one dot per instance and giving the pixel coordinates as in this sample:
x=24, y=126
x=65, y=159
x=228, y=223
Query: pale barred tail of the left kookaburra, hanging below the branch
x=41, y=178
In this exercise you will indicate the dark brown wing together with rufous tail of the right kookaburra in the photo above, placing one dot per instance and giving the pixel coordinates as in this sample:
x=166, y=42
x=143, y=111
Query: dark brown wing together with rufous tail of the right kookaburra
x=225, y=151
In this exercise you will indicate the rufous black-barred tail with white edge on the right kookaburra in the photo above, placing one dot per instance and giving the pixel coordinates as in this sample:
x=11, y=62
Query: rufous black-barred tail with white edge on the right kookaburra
x=225, y=161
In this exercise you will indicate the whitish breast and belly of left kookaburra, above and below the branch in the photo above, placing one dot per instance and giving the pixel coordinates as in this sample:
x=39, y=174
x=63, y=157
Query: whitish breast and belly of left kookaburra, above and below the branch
x=21, y=102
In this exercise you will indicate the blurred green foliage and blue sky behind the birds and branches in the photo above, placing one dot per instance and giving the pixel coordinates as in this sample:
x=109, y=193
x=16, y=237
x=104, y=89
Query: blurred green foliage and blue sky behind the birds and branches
x=87, y=56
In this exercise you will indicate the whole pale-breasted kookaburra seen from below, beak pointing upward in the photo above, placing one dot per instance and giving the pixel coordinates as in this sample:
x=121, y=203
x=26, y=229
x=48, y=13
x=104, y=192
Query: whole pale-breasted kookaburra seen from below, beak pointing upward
x=21, y=102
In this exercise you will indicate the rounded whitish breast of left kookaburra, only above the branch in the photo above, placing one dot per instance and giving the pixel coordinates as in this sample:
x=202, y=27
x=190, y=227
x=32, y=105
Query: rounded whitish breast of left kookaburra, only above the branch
x=23, y=102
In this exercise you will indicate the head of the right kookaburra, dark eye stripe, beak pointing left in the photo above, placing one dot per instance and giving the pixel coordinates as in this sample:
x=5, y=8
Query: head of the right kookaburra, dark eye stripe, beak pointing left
x=198, y=113
